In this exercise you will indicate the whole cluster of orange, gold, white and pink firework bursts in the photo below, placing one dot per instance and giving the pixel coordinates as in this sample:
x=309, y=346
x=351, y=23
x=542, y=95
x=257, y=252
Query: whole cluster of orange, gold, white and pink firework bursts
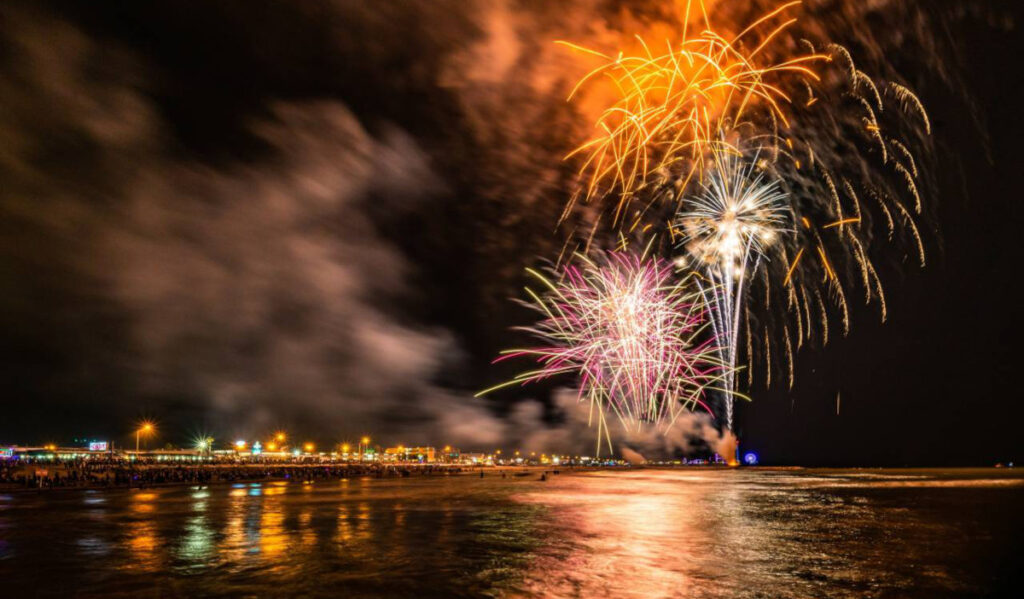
x=774, y=165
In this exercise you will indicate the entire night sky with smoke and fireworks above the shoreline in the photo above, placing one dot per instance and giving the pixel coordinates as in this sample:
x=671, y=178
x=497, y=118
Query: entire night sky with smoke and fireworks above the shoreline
x=336, y=225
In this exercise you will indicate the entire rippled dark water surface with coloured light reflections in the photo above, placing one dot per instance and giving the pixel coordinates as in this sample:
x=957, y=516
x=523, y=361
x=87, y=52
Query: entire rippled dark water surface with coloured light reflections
x=698, y=533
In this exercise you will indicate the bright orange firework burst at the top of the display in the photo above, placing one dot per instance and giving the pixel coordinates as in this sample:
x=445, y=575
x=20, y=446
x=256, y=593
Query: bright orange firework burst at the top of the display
x=672, y=108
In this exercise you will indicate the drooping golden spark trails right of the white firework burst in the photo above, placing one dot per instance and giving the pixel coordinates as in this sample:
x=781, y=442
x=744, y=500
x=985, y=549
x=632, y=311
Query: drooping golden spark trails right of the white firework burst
x=833, y=246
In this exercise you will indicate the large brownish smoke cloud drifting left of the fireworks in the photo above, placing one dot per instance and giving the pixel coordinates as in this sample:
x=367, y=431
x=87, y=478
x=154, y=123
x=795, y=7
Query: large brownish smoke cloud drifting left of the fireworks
x=245, y=292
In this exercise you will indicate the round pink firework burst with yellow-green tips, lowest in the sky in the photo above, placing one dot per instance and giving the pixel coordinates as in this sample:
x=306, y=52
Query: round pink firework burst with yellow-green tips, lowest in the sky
x=634, y=334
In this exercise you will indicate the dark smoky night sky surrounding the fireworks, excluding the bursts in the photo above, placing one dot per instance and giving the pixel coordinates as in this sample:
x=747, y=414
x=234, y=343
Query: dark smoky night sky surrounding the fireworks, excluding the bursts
x=238, y=217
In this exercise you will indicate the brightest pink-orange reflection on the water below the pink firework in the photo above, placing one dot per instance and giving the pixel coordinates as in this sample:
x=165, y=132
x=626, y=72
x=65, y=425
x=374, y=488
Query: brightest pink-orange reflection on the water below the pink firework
x=627, y=523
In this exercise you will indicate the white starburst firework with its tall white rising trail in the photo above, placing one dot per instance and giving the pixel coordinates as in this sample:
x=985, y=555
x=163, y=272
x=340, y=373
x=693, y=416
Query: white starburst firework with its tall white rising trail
x=727, y=229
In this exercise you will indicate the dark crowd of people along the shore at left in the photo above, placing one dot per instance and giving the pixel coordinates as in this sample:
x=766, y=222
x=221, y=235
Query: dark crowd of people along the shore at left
x=104, y=473
